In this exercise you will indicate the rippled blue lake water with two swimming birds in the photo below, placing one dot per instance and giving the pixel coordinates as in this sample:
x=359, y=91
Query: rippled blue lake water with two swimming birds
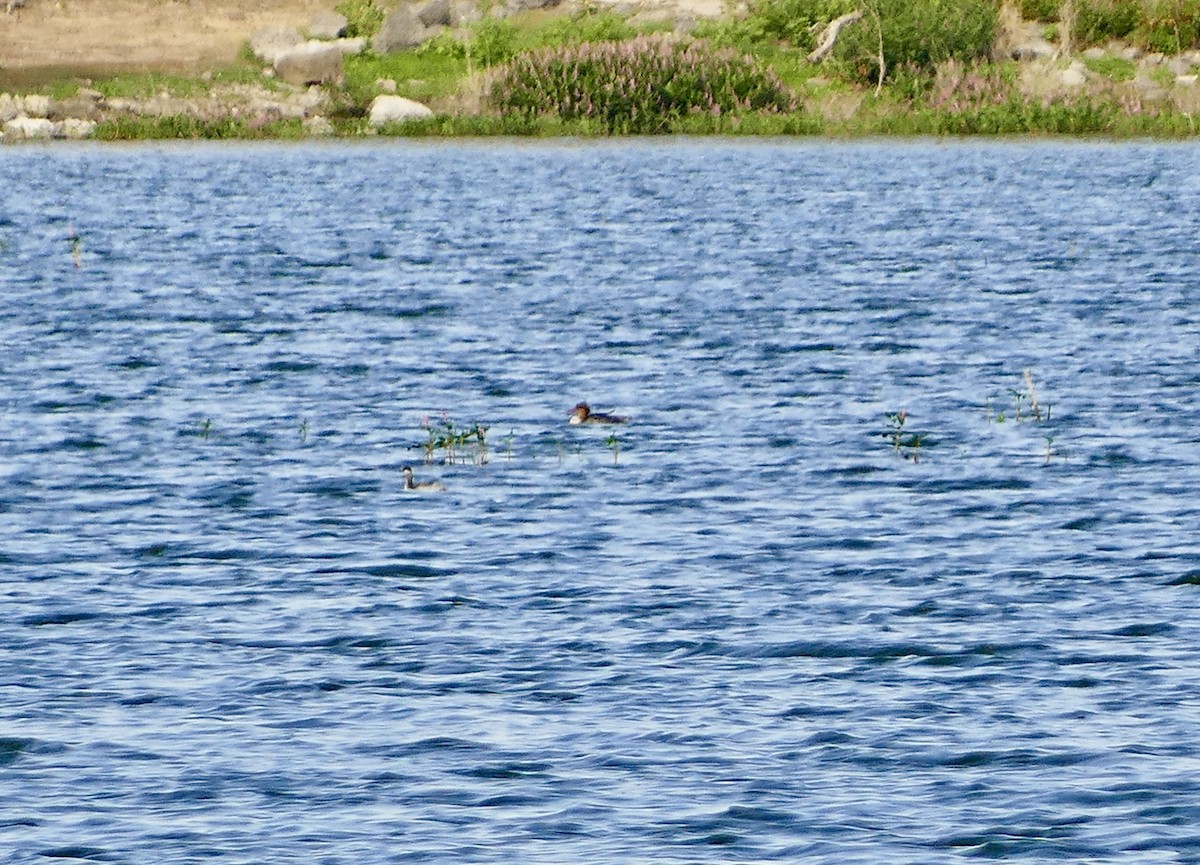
x=743, y=628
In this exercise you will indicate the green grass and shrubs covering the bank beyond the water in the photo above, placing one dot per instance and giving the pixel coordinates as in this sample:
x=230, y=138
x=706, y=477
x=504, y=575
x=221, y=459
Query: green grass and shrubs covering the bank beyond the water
x=1121, y=69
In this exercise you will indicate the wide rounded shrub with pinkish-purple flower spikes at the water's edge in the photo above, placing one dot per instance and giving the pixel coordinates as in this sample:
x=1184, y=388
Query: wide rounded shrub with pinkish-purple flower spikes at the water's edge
x=640, y=87
